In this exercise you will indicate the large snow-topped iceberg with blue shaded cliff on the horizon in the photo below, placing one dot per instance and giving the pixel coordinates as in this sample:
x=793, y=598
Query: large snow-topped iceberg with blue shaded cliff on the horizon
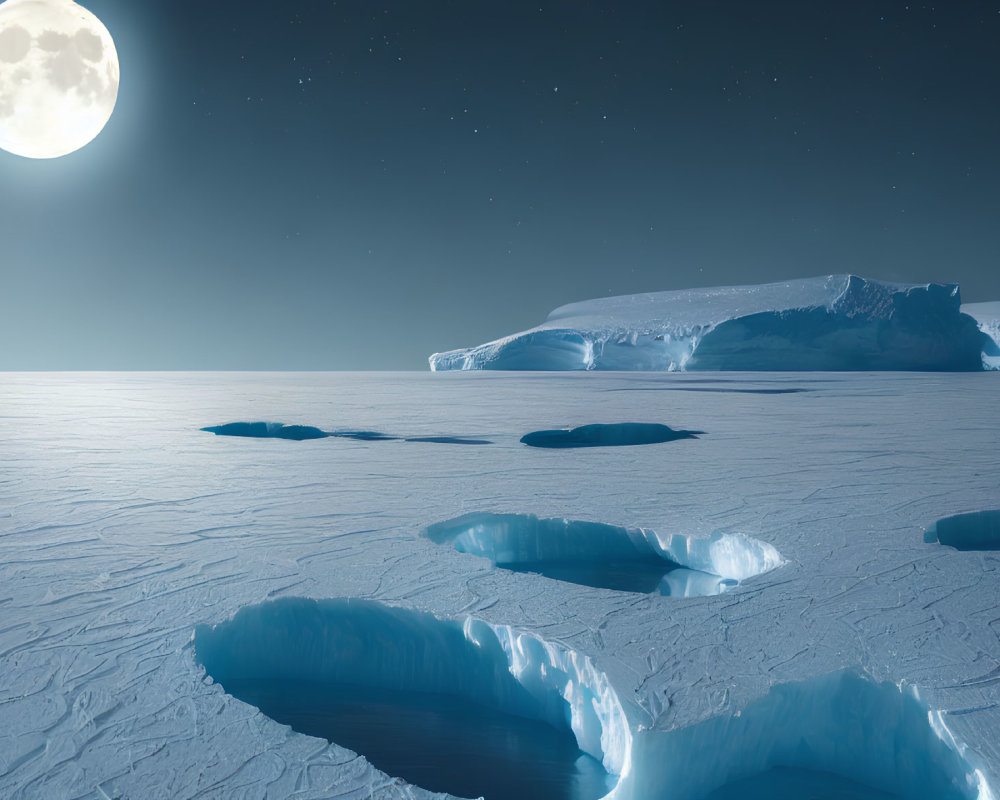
x=836, y=322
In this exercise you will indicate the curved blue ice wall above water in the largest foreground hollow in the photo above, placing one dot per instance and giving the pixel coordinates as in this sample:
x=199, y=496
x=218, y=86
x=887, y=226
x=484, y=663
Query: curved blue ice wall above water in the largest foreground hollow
x=291, y=642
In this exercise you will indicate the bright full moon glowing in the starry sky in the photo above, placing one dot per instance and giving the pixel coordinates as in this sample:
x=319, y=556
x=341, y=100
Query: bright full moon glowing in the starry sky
x=58, y=77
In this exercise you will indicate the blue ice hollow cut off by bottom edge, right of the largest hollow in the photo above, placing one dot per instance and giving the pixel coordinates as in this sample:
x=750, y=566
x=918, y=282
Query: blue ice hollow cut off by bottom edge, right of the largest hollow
x=842, y=730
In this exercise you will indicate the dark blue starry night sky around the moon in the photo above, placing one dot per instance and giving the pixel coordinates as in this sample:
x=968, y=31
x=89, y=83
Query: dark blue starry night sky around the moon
x=309, y=184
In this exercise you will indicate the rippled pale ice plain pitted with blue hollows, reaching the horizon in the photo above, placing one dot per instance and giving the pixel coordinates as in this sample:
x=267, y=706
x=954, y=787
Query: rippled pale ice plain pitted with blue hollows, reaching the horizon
x=153, y=574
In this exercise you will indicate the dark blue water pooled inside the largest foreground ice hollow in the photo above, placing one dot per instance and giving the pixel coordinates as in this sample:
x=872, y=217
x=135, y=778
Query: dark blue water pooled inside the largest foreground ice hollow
x=440, y=742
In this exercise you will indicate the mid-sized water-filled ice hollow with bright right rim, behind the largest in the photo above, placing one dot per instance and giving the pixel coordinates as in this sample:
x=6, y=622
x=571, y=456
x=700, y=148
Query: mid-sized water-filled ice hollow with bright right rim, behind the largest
x=609, y=556
